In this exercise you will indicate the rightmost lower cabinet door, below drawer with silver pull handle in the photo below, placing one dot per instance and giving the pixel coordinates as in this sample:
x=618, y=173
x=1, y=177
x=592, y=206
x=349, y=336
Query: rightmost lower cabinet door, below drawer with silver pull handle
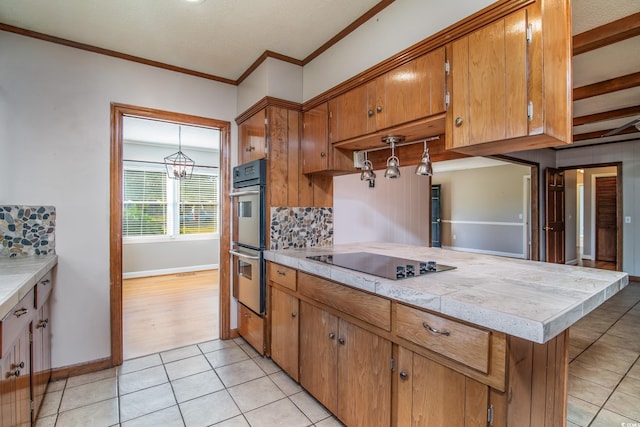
x=430, y=394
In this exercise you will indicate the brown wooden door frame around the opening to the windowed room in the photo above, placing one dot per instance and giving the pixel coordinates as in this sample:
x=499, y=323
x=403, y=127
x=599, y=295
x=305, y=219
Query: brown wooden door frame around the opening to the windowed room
x=118, y=112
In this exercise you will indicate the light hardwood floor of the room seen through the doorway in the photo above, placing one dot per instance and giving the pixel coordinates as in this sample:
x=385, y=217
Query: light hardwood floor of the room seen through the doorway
x=165, y=312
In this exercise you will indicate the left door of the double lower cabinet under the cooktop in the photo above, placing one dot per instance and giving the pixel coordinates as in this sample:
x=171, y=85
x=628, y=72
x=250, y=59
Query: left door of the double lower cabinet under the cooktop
x=319, y=355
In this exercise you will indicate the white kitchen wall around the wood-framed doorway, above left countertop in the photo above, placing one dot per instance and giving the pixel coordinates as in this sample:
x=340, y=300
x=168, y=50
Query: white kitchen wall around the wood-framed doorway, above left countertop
x=55, y=106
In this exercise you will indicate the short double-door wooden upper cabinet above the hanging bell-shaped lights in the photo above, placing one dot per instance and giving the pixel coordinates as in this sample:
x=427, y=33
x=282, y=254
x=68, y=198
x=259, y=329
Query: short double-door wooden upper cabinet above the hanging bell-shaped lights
x=409, y=92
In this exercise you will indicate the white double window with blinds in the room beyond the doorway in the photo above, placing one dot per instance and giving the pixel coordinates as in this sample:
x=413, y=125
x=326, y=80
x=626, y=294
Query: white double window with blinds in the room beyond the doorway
x=155, y=205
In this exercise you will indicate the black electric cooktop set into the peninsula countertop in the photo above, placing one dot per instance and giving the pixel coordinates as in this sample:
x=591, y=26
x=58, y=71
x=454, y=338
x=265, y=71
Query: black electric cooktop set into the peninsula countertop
x=382, y=265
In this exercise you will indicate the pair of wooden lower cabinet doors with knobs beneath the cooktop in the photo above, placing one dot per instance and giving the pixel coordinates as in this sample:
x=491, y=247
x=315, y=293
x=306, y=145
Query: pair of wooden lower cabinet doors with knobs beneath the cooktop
x=347, y=368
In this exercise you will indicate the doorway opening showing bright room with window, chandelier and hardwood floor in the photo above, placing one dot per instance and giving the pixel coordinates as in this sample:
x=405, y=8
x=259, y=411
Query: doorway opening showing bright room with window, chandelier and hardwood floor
x=170, y=237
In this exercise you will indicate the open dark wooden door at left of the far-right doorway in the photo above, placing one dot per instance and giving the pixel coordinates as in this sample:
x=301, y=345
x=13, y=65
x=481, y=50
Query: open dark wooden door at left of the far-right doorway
x=554, y=228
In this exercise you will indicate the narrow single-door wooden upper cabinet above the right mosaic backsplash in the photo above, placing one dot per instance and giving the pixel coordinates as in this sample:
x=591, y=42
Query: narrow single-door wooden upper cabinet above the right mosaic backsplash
x=317, y=153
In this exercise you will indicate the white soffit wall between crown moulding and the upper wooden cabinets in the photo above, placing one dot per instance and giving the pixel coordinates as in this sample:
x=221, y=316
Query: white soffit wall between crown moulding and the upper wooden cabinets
x=400, y=25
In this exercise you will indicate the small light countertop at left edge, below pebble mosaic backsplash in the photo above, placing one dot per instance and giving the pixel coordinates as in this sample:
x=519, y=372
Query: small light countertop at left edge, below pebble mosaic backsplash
x=19, y=275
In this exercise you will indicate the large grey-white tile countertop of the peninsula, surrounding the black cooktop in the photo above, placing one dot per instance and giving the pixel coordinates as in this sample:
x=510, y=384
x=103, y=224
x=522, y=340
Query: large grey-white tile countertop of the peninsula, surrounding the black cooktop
x=528, y=299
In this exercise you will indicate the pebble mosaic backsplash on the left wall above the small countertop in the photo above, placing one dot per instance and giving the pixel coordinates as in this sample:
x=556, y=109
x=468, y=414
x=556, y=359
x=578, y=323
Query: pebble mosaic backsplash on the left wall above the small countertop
x=27, y=230
